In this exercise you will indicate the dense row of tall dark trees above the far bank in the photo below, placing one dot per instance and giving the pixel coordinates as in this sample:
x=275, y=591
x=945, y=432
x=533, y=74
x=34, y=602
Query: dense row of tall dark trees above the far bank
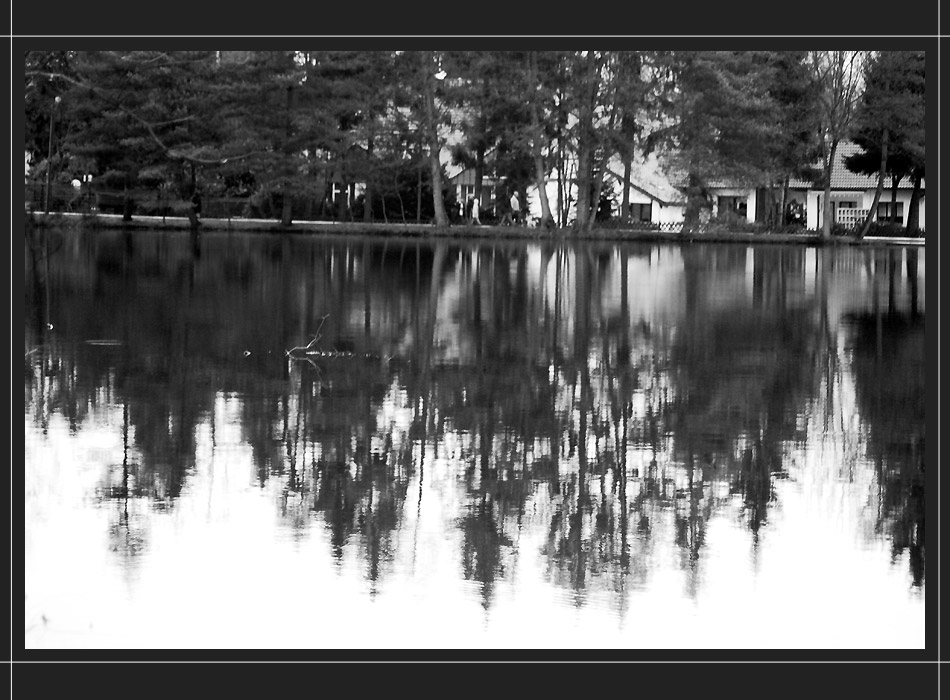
x=282, y=128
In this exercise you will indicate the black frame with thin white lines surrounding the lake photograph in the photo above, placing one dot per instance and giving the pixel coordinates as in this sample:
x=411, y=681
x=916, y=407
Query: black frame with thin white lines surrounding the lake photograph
x=808, y=24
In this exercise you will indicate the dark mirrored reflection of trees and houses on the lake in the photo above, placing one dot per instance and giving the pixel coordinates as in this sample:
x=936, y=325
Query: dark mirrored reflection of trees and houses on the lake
x=595, y=408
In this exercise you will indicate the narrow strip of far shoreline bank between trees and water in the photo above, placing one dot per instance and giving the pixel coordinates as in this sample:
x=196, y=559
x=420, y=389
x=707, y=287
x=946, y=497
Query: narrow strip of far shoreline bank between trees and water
x=497, y=233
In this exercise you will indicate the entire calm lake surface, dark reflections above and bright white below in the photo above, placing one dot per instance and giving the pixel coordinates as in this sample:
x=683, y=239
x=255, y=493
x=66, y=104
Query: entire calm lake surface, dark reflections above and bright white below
x=483, y=445
